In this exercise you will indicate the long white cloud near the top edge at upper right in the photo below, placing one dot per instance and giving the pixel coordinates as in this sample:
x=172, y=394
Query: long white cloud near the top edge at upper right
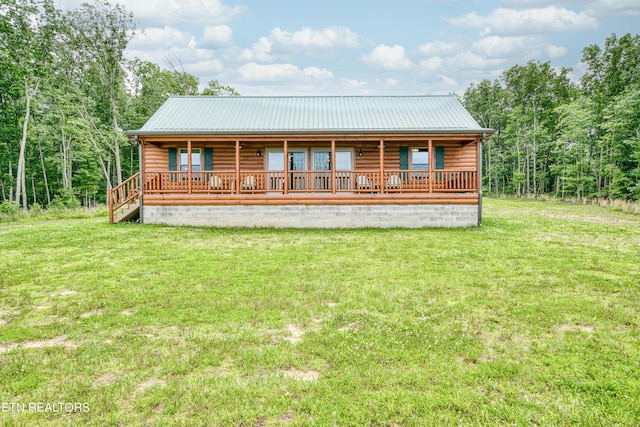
x=550, y=19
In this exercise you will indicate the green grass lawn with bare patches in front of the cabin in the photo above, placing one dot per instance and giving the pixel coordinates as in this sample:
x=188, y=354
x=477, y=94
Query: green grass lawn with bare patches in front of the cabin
x=531, y=319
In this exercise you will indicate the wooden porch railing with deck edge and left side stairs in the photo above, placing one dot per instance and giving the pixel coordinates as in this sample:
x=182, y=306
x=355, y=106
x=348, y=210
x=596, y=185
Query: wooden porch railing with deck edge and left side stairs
x=312, y=187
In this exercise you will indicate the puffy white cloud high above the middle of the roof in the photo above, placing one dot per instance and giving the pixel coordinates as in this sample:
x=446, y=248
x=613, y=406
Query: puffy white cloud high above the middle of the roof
x=326, y=38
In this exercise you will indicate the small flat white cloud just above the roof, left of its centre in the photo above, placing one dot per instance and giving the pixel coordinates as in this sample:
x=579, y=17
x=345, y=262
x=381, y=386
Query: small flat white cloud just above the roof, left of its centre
x=281, y=72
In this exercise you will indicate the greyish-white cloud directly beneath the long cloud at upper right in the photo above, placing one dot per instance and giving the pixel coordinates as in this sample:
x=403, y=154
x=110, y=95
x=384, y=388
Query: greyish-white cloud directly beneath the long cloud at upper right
x=518, y=47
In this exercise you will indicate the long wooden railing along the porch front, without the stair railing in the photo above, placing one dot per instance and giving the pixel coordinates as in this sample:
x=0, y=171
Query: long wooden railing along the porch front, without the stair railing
x=310, y=181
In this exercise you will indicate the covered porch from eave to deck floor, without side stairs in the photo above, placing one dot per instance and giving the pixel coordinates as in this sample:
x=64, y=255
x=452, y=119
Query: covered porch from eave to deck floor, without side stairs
x=330, y=168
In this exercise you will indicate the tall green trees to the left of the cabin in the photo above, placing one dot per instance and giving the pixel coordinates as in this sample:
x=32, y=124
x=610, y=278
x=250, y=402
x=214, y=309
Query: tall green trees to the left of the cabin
x=67, y=92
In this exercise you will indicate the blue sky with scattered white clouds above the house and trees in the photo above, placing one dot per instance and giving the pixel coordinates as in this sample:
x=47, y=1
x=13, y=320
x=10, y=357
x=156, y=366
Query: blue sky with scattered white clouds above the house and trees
x=368, y=47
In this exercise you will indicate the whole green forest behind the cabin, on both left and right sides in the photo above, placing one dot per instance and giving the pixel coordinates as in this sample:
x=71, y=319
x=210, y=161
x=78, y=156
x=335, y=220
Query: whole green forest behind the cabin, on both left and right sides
x=68, y=92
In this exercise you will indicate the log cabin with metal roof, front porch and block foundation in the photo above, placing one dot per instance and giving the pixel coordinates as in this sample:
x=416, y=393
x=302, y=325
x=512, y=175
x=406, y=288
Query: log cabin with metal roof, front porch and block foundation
x=348, y=161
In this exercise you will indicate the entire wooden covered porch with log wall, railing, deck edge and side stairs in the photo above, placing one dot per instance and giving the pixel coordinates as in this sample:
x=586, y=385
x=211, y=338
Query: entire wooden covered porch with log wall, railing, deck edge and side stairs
x=207, y=171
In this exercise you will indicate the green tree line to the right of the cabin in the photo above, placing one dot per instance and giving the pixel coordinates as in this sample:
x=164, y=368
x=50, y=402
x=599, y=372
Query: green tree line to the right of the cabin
x=555, y=137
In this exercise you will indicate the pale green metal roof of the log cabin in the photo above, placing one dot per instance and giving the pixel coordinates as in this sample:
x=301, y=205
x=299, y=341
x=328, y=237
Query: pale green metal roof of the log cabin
x=187, y=115
